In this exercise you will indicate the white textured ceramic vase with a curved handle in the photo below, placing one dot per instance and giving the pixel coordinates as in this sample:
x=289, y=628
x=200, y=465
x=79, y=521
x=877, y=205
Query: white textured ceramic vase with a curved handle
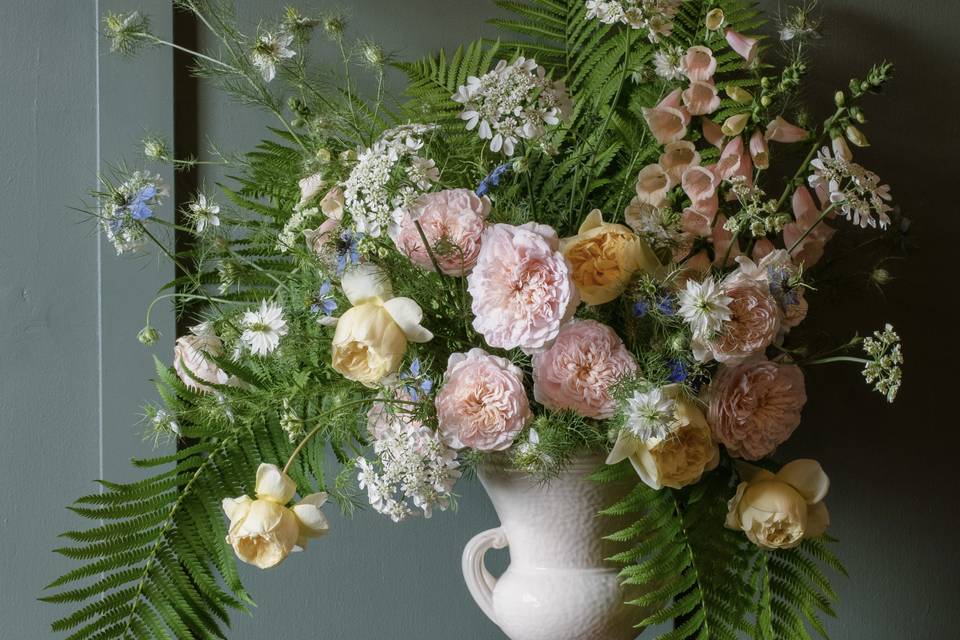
x=558, y=586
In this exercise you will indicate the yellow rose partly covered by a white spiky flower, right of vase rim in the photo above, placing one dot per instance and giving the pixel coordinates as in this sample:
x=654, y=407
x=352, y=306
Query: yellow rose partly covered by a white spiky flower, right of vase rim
x=676, y=460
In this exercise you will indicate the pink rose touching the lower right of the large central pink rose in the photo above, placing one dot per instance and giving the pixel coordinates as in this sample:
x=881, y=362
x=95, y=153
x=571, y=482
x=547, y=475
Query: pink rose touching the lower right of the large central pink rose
x=578, y=370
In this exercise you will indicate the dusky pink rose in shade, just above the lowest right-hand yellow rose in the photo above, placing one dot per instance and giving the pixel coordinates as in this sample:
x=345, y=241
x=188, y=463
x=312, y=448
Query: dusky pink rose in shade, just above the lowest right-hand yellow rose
x=755, y=406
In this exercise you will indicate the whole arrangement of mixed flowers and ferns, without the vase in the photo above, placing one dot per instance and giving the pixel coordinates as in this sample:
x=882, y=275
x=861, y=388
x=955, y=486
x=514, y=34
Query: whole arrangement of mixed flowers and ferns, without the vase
x=604, y=236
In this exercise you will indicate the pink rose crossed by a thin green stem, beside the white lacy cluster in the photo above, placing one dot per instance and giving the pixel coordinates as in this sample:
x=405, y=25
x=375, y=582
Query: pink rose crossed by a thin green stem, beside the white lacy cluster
x=453, y=222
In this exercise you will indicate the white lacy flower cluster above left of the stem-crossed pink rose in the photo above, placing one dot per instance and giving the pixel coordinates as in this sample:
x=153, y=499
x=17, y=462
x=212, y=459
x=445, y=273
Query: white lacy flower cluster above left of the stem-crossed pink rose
x=387, y=178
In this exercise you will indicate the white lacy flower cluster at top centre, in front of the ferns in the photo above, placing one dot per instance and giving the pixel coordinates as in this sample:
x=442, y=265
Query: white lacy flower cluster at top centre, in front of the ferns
x=514, y=101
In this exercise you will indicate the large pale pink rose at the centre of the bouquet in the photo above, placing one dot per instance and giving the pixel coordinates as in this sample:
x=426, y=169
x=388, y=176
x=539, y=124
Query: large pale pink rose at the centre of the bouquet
x=522, y=287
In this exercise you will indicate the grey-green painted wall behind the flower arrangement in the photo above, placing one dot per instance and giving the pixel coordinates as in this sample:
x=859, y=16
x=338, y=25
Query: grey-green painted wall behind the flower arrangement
x=74, y=376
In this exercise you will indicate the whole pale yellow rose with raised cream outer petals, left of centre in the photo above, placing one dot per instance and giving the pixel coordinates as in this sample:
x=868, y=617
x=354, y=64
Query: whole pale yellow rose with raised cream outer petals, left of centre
x=372, y=335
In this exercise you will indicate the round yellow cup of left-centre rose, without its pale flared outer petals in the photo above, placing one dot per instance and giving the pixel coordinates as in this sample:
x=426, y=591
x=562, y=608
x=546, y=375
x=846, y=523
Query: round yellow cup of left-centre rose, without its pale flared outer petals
x=368, y=344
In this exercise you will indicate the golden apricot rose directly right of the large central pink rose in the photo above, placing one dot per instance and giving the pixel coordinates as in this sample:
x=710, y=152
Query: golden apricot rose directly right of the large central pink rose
x=604, y=257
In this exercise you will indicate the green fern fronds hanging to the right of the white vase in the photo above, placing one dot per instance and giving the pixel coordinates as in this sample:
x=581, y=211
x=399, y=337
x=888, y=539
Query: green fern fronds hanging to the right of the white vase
x=711, y=581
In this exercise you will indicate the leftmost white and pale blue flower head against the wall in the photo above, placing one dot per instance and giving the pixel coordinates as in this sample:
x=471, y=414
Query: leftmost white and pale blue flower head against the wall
x=126, y=207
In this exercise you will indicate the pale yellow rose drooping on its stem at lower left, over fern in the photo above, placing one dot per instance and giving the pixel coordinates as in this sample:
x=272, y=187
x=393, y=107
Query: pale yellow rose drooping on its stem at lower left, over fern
x=263, y=530
